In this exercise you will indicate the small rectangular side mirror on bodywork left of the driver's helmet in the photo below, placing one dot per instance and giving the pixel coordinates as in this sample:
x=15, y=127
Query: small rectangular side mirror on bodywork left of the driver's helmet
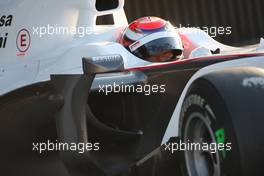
x=103, y=64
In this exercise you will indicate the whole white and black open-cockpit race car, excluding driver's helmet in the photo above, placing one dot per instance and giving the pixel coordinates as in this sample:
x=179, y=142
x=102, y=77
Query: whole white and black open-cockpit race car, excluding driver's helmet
x=84, y=105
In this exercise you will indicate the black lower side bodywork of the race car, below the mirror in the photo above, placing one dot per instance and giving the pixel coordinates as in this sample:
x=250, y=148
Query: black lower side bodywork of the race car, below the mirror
x=128, y=125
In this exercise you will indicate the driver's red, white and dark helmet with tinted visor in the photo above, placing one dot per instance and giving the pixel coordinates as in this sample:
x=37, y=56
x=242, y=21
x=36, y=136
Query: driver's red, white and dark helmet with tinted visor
x=152, y=39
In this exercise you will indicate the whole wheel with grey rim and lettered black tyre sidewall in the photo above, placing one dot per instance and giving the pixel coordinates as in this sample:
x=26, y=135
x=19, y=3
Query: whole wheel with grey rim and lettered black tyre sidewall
x=208, y=134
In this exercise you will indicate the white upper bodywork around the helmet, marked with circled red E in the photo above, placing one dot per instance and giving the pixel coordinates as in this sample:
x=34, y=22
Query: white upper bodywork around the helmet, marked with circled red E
x=62, y=54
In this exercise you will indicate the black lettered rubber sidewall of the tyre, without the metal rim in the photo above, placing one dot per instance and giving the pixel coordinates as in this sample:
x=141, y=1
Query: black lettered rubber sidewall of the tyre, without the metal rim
x=203, y=98
